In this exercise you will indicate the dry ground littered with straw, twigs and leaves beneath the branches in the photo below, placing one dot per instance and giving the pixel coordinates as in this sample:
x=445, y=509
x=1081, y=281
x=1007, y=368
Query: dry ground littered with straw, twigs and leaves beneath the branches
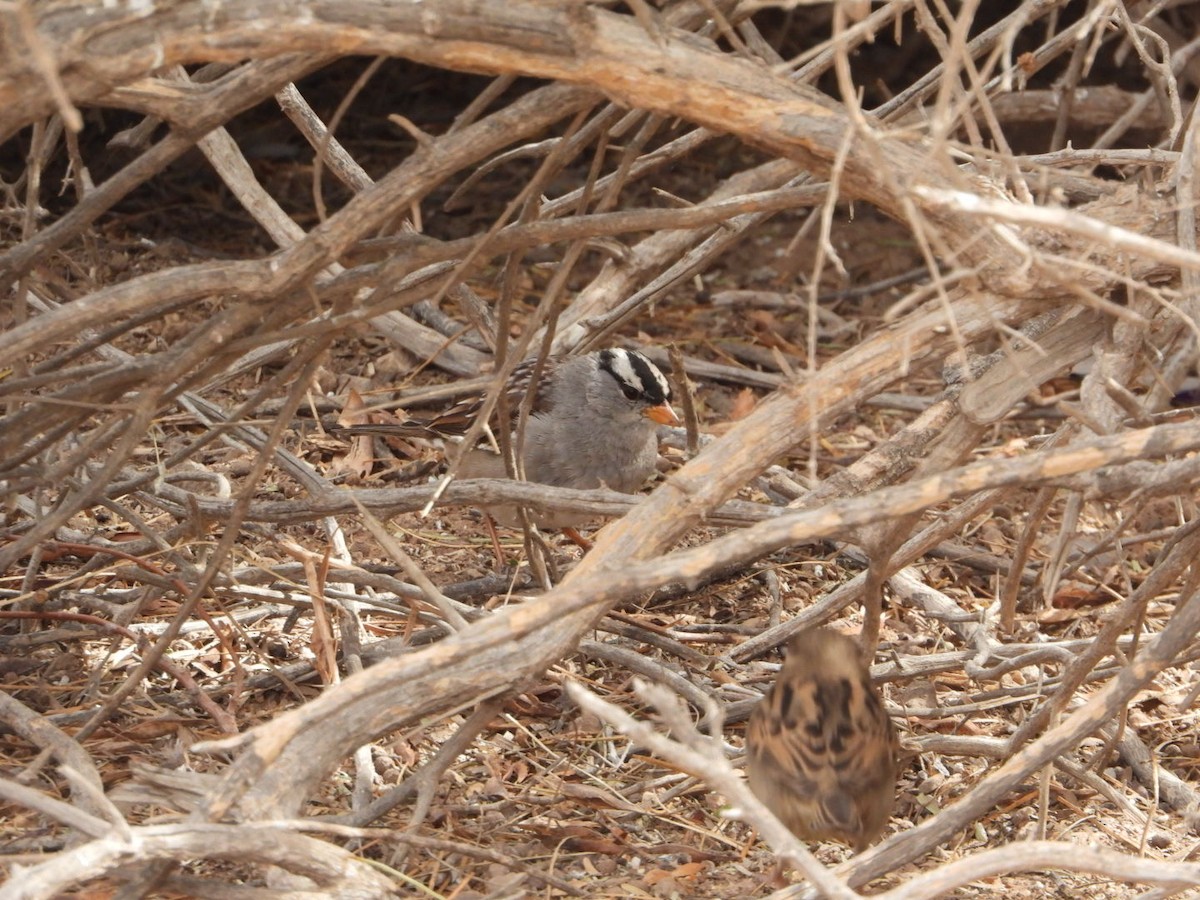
x=548, y=801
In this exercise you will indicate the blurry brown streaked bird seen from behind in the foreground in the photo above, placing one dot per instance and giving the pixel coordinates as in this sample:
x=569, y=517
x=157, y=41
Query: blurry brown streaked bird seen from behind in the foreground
x=821, y=751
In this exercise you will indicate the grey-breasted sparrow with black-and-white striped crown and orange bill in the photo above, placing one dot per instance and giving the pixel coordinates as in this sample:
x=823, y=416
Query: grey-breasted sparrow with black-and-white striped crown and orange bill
x=593, y=423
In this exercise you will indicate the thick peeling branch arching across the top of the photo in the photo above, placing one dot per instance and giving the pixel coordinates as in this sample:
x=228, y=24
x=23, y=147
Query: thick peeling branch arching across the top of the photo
x=674, y=75
